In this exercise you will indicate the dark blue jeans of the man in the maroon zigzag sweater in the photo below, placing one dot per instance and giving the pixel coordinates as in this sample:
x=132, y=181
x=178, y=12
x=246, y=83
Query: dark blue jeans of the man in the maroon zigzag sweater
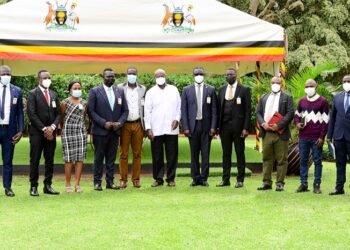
x=305, y=146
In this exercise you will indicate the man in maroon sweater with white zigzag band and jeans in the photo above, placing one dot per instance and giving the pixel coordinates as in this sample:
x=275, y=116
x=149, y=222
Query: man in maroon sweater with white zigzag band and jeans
x=311, y=119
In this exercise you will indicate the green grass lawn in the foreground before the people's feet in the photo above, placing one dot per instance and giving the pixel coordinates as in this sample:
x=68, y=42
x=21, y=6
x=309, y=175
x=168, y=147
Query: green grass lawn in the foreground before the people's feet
x=177, y=218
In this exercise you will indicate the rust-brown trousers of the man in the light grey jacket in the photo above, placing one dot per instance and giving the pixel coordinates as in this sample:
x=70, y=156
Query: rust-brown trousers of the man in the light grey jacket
x=131, y=133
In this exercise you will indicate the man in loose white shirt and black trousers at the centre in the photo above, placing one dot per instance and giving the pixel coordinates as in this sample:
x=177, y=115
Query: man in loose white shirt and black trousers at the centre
x=162, y=116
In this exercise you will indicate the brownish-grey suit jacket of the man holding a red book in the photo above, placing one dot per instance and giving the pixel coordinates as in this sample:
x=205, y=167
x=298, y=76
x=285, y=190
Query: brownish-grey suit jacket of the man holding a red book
x=285, y=108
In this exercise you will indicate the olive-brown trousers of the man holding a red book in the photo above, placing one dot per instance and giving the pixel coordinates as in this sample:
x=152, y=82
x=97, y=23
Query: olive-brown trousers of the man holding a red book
x=274, y=149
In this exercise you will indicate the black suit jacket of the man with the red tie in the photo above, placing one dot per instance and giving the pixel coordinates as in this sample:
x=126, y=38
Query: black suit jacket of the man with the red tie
x=40, y=113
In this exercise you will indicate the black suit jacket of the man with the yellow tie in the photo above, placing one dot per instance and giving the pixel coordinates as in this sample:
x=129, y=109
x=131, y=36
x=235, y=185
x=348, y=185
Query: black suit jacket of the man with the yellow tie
x=241, y=113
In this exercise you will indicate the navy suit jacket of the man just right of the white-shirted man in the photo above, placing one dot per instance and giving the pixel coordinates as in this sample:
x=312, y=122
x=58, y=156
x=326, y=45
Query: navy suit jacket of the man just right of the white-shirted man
x=189, y=108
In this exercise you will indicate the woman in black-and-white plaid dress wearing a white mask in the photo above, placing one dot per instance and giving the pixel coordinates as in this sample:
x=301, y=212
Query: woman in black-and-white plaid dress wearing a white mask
x=74, y=135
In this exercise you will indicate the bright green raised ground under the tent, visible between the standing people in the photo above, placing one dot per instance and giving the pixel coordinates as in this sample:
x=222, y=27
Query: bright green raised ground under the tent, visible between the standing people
x=22, y=152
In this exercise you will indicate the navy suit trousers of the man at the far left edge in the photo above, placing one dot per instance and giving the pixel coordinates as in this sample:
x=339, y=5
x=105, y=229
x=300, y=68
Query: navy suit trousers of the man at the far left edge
x=7, y=149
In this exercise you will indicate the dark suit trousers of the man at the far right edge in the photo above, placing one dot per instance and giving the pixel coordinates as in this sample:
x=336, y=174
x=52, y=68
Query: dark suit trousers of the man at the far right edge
x=342, y=154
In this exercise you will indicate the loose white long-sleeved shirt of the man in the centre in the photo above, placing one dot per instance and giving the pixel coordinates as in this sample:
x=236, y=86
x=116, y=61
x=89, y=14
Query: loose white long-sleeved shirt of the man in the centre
x=162, y=107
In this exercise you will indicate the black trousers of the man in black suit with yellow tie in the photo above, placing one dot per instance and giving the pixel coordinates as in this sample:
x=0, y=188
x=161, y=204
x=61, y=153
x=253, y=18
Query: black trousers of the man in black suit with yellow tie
x=229, y=136
